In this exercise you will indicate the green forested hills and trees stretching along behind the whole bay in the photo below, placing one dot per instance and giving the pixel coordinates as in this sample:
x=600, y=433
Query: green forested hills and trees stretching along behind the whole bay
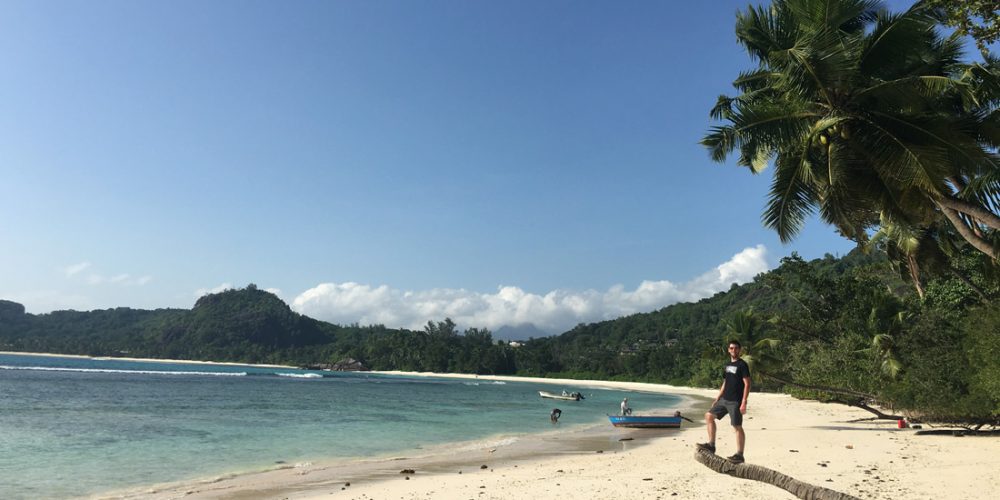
x=841, y=329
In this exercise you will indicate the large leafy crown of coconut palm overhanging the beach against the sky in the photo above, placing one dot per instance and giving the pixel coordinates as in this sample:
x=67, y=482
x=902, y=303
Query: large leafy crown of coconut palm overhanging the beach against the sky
x=865, y=115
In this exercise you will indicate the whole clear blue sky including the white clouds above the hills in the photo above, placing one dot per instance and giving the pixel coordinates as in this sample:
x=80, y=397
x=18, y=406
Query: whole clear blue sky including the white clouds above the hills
x=379, y=161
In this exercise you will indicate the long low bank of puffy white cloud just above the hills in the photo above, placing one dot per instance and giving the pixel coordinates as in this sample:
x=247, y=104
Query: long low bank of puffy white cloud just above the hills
x=555, y=311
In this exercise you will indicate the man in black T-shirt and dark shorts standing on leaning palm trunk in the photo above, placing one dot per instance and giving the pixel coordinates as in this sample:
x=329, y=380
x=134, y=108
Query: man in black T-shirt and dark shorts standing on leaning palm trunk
x=732, y=400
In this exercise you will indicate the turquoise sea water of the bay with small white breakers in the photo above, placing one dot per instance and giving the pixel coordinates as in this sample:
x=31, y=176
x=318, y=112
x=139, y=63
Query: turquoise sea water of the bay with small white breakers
x=73, y=426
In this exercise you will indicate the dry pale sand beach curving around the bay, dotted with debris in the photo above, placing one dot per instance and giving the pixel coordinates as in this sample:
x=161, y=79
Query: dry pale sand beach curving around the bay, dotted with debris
x=812, y=442
